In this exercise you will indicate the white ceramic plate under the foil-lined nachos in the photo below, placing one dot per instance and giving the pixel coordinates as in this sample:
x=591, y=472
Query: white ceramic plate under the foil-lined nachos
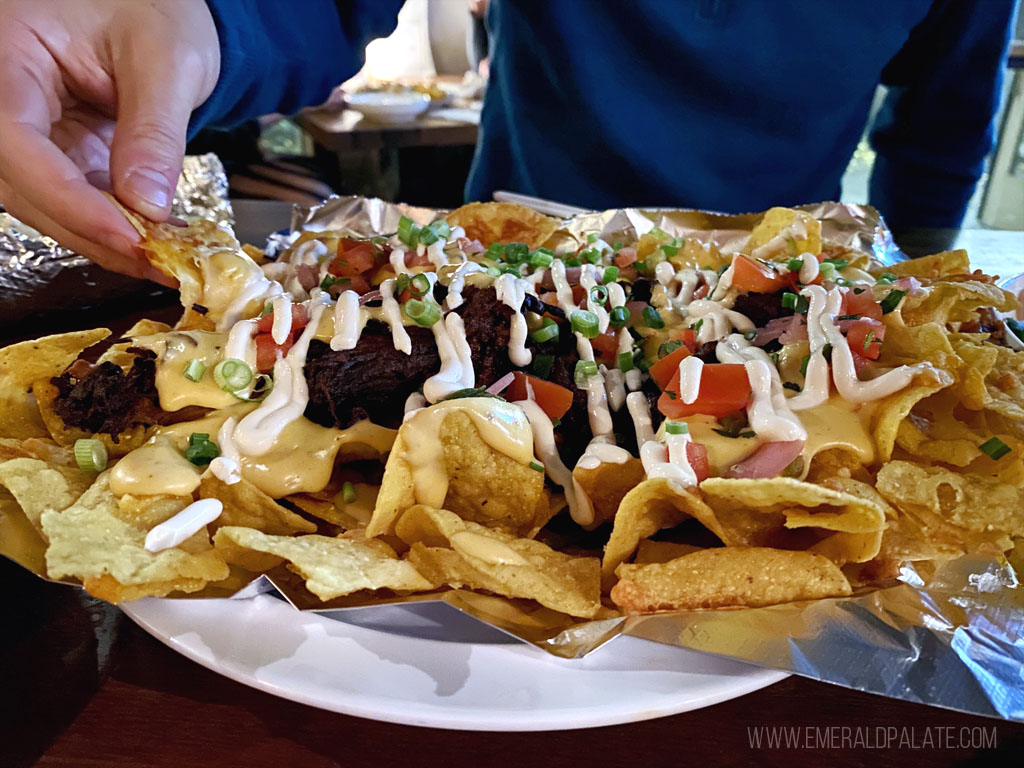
x=432, y=666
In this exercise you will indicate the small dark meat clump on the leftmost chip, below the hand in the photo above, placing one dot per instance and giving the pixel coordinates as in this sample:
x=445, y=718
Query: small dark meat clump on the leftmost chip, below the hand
x=107, y=399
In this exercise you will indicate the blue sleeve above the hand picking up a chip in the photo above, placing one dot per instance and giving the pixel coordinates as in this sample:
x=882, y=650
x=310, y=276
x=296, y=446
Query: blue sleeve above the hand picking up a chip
x=281, y=57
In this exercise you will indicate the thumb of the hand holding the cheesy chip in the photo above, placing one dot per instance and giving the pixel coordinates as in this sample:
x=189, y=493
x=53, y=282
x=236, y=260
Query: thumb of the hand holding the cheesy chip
x=155, y=101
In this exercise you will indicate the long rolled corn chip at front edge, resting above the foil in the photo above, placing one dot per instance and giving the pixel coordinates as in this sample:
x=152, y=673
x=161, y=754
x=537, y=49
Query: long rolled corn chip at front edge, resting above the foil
x=728, y=577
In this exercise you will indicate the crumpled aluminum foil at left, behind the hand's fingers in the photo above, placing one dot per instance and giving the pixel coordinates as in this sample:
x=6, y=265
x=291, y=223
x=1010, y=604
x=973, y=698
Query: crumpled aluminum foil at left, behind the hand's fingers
x=38, y=277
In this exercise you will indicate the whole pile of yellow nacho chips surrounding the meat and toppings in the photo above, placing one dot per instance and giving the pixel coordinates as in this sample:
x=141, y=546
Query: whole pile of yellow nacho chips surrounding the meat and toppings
x=929, y=493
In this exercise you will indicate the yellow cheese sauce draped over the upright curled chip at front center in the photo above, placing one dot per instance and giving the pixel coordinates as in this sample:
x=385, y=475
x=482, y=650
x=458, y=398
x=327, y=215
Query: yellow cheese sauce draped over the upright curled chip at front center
x=502, y=425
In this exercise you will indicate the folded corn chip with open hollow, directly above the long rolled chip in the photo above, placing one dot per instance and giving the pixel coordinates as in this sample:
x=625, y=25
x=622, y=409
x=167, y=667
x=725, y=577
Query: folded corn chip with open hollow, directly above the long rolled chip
x=785, y=514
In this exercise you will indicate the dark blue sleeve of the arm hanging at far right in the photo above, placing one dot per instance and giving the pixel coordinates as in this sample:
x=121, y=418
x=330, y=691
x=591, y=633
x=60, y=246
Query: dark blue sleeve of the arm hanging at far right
x=936, y=126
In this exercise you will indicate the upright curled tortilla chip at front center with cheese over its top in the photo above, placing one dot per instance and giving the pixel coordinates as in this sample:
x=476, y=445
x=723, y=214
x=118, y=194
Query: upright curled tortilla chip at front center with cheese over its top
x=484, y=485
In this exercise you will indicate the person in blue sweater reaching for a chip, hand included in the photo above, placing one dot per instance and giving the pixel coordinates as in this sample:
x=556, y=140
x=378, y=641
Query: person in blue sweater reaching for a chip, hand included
x=723, y=105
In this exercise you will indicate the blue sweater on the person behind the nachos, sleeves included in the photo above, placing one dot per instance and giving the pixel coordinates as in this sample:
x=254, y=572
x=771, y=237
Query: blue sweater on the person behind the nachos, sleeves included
x=724, y=105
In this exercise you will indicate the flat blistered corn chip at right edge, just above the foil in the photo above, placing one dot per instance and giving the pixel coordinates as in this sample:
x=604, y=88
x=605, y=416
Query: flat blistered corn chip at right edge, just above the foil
x=974, y=503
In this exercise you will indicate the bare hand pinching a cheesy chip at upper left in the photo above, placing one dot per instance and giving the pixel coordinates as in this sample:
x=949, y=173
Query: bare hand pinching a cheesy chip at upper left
x=97, y=96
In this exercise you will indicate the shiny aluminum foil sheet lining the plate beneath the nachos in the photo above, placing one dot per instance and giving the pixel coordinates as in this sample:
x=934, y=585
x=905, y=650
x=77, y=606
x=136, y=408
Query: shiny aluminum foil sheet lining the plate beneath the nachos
x=953, y=638
